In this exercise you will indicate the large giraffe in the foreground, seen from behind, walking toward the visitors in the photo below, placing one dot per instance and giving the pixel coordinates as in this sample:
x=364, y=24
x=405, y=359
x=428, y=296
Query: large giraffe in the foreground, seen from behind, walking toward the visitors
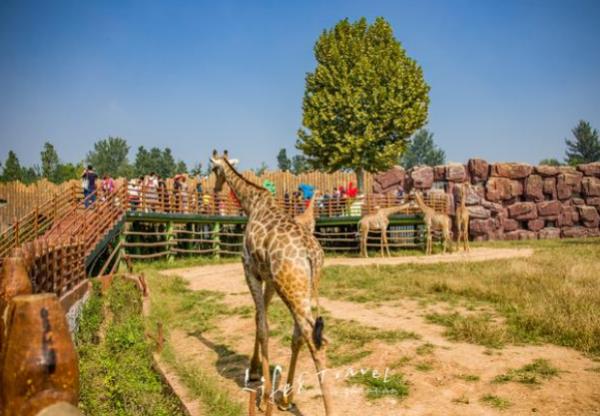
x=279, y=256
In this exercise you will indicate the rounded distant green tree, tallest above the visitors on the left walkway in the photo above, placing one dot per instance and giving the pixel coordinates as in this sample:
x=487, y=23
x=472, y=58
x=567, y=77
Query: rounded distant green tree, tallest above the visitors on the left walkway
x=109, y=157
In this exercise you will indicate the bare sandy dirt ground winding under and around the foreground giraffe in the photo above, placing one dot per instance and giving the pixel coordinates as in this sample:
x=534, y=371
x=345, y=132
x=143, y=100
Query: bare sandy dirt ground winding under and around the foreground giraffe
x=225, y=350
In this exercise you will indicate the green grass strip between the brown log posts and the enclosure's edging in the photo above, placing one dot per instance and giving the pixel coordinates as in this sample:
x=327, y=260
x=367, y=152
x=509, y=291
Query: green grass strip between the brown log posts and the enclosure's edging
x=116, y=373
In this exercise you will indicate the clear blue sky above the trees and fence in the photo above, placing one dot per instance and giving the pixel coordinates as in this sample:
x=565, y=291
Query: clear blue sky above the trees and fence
x=509, y=79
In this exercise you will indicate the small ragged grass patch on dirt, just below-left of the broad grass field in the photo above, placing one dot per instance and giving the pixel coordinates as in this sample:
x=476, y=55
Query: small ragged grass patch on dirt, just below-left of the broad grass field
x=476, y=329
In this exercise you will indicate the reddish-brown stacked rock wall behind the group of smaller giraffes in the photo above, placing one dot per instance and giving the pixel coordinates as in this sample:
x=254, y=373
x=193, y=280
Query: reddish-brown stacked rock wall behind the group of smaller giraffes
x=515, y=201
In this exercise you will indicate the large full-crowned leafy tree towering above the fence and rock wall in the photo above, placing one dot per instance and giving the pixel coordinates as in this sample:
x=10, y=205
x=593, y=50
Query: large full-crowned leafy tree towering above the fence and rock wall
x=364, y=100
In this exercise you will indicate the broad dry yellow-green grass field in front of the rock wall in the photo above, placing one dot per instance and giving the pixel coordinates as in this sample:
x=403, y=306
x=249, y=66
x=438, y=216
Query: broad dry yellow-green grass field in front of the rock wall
x=553, y=296
